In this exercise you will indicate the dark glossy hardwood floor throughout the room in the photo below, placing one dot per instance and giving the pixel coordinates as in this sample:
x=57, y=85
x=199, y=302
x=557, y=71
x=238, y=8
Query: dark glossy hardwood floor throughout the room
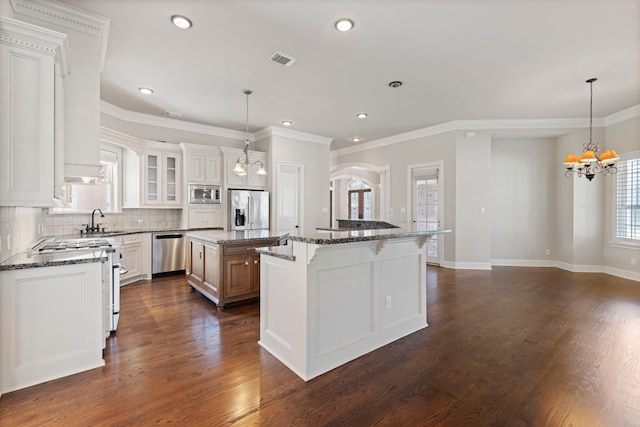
x=508, y=347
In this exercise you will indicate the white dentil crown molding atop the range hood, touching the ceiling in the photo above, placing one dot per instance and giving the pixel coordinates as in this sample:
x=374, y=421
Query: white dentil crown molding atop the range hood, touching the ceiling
x=67, y=16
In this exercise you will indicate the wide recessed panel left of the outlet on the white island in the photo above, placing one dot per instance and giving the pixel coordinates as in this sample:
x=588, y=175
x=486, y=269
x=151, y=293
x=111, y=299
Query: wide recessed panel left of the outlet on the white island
x=344, y=305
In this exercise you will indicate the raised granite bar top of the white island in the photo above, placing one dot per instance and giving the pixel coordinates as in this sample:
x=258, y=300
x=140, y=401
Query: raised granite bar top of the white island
x=350, y=236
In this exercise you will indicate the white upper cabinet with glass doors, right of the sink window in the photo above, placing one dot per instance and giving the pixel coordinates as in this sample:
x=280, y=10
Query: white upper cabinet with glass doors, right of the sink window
x=152, y=179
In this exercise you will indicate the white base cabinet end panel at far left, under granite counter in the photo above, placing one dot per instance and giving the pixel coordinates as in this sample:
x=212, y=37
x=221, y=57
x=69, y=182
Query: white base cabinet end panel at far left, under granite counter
x=51, y=323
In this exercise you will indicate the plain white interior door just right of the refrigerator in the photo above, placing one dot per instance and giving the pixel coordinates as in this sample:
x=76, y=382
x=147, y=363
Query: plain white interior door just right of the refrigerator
x=289, y=198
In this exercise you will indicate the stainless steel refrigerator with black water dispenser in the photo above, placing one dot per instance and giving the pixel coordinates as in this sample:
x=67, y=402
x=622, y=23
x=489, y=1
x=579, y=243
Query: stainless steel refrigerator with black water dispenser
x=248, y=210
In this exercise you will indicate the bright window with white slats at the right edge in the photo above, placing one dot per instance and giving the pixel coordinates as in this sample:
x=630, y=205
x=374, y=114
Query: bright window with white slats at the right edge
x=628, y=200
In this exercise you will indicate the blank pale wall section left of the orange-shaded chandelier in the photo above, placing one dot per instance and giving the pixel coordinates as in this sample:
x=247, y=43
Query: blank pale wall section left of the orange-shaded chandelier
x=523, y=203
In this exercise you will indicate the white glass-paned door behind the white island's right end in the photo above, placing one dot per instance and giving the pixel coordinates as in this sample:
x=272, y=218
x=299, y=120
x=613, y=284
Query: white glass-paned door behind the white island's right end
x=426, y=212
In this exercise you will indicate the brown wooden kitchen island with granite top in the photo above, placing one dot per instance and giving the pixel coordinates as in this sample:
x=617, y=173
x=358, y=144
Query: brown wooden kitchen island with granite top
x=224, y=266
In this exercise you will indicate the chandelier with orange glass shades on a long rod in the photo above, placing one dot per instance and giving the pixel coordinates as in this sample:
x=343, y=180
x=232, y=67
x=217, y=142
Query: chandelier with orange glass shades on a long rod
x=589, y=163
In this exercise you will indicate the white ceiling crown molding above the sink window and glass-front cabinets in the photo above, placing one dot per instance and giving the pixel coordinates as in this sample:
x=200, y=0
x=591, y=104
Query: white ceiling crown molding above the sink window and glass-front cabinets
x=167, y=122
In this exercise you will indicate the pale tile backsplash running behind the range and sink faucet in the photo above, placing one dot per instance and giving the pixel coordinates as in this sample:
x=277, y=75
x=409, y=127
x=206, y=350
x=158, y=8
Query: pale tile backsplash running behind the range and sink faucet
x=20, y=227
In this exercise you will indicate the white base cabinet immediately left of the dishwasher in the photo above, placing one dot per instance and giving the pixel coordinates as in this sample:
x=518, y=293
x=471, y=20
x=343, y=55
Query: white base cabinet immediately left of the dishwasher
x=136, y=257
